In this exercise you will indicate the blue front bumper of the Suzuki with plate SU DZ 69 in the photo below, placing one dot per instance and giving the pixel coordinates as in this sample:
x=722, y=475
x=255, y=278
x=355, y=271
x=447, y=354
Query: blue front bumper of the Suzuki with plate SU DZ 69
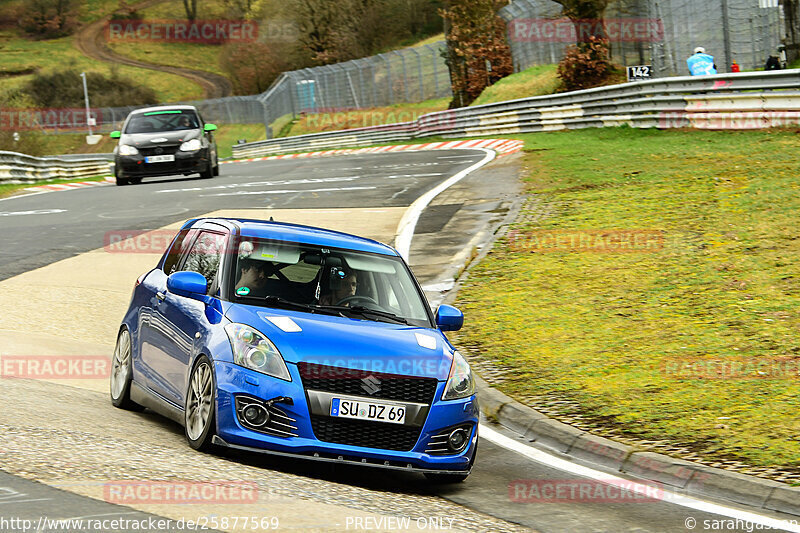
x=233, y=381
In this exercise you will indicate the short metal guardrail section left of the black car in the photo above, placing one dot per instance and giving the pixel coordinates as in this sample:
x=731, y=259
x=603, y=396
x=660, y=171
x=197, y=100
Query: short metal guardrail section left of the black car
x=21, y=168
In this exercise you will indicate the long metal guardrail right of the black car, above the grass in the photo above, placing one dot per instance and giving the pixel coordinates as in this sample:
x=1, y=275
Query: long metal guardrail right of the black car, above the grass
x=747, y=100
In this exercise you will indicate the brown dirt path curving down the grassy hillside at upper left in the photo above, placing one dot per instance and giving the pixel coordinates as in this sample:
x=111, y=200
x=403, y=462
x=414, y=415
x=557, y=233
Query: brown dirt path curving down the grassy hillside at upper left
x=90, y=41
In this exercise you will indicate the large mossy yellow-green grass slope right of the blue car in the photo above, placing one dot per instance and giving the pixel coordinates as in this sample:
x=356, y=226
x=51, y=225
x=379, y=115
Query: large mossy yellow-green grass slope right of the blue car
x=598, y=329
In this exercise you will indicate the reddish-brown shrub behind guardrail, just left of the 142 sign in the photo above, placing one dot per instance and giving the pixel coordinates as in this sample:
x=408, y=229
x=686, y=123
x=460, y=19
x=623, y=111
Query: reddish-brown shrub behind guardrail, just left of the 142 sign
x=586, y=65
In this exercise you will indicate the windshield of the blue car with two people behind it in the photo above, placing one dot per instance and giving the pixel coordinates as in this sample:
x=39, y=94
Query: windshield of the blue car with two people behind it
x=316, y=279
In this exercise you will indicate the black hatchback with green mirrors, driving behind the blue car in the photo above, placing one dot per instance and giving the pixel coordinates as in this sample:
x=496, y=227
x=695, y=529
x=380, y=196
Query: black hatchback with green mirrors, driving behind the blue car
x=163, y=141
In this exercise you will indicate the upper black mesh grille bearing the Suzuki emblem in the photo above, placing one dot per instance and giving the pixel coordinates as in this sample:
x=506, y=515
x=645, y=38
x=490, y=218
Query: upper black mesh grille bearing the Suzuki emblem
x=376, y=385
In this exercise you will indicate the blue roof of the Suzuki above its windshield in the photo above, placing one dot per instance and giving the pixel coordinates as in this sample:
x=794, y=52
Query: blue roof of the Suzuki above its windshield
x=309, y=235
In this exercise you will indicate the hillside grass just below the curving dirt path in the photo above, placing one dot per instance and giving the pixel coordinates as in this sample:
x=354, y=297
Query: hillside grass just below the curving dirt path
x=19, y=53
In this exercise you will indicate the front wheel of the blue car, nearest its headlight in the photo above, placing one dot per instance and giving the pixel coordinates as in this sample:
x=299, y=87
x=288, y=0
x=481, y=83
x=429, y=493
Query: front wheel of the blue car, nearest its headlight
x=200, y=409
